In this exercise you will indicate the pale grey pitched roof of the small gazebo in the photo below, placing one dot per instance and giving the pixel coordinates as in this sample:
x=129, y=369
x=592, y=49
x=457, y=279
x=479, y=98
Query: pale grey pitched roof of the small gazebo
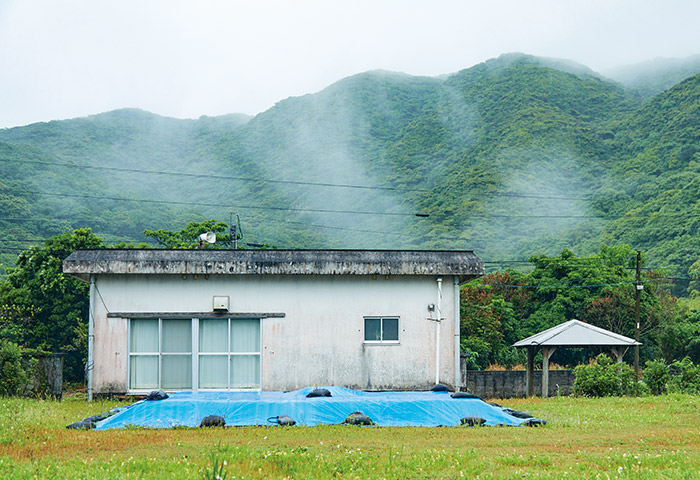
x=576, y=333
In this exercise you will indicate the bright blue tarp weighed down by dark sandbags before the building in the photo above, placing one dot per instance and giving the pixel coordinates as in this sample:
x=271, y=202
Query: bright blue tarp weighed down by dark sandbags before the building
x=395, y=409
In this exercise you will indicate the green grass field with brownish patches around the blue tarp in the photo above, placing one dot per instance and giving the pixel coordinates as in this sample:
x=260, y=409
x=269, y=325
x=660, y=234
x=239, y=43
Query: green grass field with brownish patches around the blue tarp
x=648, y=438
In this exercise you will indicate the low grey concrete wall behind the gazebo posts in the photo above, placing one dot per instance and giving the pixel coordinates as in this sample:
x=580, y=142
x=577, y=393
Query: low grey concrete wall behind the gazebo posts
x=512, y=383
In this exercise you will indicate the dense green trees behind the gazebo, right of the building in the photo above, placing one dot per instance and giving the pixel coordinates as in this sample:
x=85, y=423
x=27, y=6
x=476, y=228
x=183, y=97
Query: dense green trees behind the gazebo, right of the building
x=500, y=309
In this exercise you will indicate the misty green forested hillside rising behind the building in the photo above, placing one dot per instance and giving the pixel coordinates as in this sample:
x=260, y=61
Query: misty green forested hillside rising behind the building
x=513, y=157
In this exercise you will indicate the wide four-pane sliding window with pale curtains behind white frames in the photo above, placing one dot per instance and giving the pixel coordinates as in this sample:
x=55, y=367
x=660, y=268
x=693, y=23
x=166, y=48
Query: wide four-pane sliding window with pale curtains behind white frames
x=188, y=354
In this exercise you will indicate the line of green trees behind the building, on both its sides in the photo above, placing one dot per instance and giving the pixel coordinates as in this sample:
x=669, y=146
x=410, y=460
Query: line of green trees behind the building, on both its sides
x=43, y=309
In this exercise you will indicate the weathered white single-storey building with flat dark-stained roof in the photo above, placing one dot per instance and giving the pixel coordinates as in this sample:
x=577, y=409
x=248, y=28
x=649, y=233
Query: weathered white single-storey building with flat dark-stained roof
x=272, y=319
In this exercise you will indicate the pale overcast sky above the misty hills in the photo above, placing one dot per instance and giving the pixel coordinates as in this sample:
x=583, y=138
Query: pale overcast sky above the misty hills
x=71, y=58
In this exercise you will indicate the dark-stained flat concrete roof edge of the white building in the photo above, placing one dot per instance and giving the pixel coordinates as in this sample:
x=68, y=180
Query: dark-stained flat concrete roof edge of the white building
x=82, y=264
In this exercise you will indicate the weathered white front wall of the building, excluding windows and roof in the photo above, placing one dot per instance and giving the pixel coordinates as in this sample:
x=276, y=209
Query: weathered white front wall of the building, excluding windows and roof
x=318, y=341
